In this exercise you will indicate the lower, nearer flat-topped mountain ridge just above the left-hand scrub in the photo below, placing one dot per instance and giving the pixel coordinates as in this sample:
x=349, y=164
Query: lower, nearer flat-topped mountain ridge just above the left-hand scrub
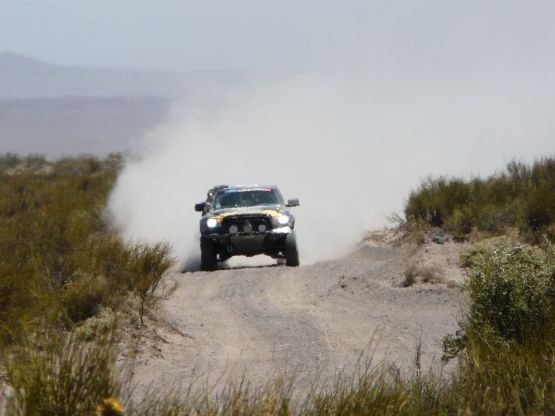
x=58, y=127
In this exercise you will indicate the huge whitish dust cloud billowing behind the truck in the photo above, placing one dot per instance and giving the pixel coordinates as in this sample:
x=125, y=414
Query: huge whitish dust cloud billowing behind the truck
x=349, y=135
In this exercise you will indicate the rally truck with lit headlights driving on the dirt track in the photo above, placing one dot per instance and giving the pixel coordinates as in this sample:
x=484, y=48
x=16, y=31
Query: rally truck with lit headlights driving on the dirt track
x=246, y=220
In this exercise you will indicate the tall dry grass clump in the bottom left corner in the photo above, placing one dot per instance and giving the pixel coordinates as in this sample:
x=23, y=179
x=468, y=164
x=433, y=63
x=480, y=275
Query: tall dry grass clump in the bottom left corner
x=62, y=377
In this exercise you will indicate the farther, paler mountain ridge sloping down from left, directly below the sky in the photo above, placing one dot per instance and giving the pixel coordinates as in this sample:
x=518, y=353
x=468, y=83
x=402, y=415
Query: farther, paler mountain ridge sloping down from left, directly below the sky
x=23, y=77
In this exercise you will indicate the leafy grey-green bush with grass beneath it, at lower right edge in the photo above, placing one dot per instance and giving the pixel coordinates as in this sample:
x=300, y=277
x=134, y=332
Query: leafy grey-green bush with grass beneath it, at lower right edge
x=505, y=344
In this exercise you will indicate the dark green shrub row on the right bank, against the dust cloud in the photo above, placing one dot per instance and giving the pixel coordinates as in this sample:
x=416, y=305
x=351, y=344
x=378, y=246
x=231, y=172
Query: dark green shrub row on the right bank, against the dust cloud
x=520, y=196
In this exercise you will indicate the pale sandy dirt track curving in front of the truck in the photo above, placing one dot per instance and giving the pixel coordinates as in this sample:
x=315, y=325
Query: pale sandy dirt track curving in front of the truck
x=316, y=320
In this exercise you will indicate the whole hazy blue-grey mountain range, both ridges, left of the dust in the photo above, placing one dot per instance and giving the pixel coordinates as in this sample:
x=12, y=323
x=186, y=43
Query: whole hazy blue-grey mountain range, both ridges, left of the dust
x=63, y=110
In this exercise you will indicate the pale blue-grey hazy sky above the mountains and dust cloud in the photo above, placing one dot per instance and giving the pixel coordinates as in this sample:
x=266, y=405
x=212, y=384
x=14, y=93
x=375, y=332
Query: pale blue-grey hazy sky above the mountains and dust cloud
x=259, y=34
